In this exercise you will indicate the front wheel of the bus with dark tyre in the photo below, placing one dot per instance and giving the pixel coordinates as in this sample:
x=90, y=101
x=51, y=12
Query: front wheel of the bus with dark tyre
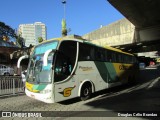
x=86, y=92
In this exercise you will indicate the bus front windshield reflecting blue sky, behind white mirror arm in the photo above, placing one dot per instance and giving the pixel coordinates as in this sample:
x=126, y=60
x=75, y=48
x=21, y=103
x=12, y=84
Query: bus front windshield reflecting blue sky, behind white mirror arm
x=38, y=73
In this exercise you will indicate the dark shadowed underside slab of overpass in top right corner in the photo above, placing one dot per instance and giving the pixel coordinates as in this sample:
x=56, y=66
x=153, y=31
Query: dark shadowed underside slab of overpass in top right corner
x=141, y=13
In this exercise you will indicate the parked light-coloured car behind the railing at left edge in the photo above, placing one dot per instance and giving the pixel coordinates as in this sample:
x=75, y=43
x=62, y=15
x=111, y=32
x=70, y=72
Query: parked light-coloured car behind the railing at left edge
x=6, y=70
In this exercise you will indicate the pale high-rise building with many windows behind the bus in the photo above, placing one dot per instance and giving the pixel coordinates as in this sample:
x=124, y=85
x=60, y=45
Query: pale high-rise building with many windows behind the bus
x=31, y=32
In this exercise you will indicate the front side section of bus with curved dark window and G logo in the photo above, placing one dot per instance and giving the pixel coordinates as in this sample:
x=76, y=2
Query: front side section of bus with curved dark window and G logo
x=65, y=65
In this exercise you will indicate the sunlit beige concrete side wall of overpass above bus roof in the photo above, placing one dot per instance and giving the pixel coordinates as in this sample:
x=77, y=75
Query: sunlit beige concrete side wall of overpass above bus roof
x=118, y=33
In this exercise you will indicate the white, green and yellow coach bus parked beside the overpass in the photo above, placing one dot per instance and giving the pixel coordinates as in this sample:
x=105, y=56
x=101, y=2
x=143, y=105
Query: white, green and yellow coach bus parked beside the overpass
x=63, y=69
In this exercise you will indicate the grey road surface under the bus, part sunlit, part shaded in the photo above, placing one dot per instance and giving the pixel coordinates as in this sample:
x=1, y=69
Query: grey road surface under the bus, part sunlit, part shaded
x=138, y=101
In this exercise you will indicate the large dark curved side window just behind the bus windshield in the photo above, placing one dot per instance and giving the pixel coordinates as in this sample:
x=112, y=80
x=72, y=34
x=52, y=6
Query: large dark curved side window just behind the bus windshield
x=65, y=60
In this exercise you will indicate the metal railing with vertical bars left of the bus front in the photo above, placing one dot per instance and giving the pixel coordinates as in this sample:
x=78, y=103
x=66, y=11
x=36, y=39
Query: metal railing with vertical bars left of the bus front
x=11, y=85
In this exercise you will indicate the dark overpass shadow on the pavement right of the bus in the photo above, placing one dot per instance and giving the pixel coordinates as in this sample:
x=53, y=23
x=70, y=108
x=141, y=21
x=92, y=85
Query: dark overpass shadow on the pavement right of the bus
x=144, y=96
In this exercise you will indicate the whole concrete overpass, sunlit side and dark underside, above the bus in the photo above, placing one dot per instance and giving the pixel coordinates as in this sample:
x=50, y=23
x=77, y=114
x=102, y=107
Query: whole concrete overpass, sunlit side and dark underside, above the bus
x=139, y=32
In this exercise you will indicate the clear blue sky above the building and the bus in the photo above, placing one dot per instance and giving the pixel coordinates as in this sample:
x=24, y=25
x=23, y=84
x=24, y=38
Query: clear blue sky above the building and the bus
x=82, y=16
